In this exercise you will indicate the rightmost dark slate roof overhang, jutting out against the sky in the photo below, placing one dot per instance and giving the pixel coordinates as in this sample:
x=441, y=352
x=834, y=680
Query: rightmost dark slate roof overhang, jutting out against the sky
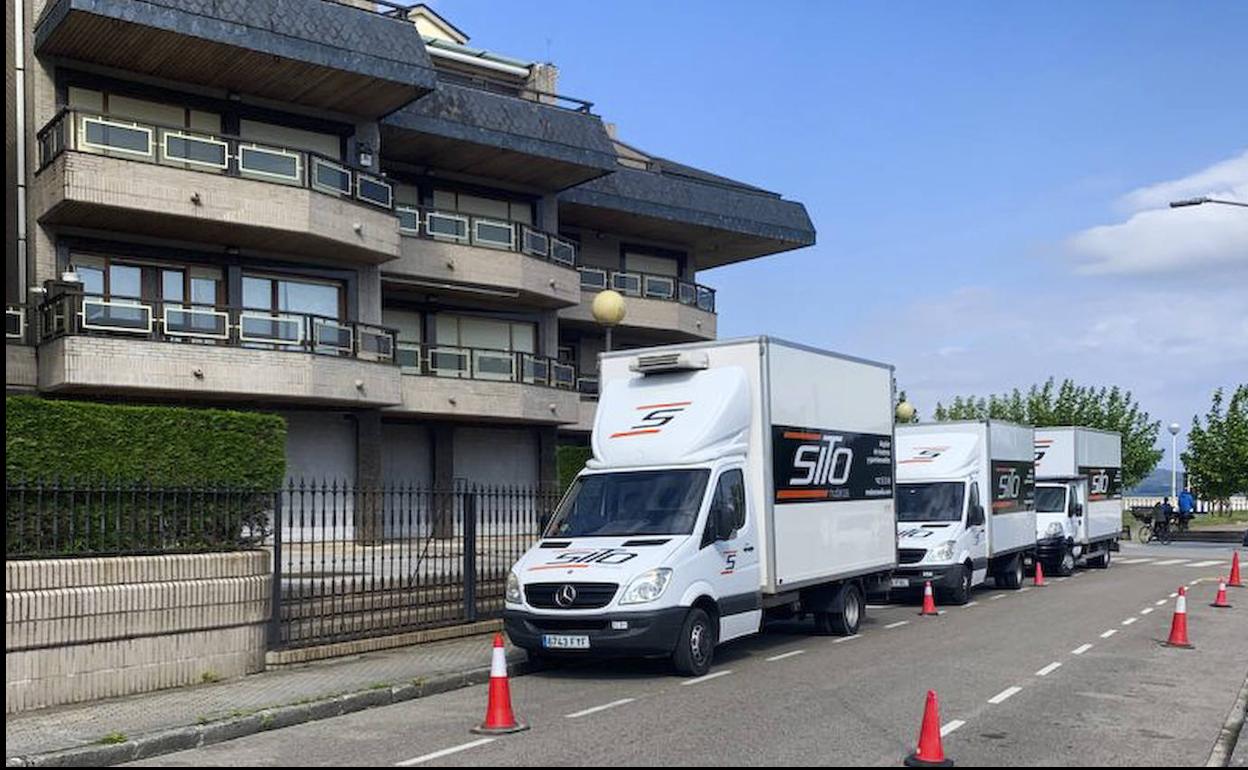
x=721, y=224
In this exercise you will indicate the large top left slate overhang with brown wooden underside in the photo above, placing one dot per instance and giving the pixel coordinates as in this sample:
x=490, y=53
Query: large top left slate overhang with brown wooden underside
x=314, y=53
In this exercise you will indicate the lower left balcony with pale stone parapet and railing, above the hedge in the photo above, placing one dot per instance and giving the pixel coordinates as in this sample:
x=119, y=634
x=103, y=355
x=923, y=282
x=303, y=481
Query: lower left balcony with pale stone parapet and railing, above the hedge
x=100, y=348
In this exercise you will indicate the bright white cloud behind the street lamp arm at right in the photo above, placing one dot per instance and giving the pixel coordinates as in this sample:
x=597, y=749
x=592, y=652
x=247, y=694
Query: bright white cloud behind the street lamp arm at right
x=1160, y=240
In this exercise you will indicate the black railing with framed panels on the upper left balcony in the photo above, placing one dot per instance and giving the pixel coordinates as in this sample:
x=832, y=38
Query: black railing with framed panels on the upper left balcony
x=182, y=148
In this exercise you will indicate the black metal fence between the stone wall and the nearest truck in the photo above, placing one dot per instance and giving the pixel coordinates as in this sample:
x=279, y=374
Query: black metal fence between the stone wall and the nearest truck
x=354, y=563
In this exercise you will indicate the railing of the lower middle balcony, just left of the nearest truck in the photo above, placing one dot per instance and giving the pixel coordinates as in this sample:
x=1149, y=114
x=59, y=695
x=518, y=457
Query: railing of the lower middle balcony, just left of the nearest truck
x=459, y=363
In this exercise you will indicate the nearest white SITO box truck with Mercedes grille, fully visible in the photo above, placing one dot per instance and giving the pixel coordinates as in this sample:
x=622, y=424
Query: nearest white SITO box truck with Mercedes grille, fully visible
x=731, y=481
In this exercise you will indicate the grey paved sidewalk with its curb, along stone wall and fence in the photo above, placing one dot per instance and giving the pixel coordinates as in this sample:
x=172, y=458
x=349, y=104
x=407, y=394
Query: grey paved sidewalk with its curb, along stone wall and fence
x=122, y=729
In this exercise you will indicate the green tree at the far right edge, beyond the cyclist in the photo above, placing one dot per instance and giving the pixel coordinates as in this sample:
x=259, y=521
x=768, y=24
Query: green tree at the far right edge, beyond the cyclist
x=1217, y=452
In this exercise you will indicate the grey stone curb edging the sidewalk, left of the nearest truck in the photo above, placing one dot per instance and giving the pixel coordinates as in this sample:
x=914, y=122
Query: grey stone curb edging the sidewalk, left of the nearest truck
x=194, y=737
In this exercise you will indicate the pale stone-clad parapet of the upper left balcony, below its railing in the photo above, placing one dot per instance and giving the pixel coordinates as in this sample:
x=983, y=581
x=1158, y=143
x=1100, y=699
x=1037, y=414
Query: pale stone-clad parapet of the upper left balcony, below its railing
x=109, y=194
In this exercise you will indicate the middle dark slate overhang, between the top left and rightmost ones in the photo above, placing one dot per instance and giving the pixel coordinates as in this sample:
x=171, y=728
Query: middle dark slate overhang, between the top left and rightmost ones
x=467, y=132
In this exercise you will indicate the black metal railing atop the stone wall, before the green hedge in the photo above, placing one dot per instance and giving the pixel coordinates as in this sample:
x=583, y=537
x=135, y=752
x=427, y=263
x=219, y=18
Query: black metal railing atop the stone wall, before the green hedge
x=69, y=519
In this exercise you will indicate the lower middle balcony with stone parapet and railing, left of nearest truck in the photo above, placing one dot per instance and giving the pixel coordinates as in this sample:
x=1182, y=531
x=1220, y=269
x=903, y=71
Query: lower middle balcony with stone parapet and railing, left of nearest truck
x=486, y=386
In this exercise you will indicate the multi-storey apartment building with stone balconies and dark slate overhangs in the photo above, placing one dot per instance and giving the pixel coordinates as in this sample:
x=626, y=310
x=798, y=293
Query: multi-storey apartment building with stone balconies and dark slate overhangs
x=344, y=213
